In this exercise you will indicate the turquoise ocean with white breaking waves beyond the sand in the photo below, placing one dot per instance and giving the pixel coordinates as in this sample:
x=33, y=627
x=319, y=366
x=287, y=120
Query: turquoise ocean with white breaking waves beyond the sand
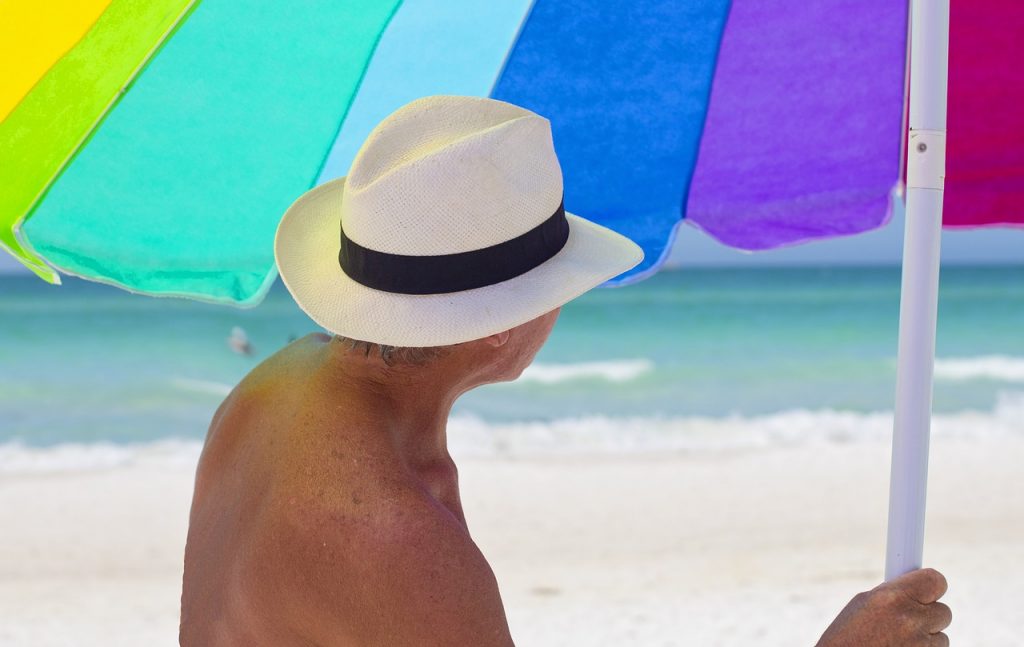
x=691, y=360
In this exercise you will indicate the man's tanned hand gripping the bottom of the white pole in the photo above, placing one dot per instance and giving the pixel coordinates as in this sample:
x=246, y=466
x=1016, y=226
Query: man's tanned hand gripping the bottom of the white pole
x=905, y=613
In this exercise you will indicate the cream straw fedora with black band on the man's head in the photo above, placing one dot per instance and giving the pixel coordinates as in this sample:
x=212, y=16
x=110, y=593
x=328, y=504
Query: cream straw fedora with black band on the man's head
x=450, y=227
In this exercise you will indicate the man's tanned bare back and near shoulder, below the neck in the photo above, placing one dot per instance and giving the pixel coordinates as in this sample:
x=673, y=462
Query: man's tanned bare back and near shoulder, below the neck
x=312, y=526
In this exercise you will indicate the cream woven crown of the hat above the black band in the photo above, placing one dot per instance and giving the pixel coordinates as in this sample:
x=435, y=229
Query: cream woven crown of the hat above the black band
x=449, y=175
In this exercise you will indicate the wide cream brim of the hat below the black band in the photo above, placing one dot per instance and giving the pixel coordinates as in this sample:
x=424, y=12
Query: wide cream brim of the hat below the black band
x=307, y=251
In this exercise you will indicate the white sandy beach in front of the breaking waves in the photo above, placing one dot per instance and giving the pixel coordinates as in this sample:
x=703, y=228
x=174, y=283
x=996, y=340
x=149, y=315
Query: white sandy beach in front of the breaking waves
x=705, y=549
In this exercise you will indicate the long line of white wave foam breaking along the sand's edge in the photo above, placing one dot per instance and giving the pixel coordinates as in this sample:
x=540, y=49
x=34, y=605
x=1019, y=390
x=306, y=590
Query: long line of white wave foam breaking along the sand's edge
x=470, y=437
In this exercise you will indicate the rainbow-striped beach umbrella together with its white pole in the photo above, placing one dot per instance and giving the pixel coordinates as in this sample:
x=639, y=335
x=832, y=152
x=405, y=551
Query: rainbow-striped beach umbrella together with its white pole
x=155, y=144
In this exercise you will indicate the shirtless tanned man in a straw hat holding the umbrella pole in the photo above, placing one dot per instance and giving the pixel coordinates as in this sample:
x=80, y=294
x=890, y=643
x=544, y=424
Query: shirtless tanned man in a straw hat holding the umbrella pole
x=327, y=507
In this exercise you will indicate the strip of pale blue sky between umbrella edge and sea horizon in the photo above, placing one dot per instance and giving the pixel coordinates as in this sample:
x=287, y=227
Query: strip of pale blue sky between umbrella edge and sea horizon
x=882, y=247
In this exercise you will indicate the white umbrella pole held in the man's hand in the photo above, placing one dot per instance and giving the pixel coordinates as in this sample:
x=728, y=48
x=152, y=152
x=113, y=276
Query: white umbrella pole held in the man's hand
x=919, y=300
